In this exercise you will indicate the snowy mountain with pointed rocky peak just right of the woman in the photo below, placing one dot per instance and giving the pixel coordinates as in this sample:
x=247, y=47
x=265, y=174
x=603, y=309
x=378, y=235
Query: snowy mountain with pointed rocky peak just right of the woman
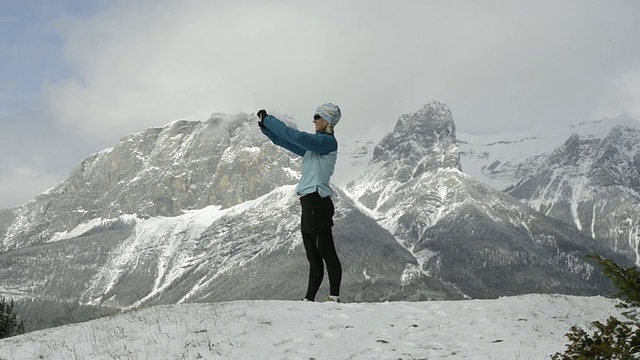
x=461, y=230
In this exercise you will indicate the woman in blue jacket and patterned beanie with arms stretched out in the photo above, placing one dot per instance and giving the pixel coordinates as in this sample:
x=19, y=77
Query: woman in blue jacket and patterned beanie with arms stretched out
x=319, y=153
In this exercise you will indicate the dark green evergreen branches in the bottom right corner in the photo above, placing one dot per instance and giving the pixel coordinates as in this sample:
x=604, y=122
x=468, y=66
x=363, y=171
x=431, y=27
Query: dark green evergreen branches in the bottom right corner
x=617, y=339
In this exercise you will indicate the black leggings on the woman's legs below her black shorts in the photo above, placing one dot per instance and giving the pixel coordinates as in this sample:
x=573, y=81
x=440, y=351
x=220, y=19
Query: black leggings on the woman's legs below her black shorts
x=319, y=247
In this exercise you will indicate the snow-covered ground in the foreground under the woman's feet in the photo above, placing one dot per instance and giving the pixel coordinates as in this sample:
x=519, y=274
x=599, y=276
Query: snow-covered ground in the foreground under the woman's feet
x=520, y=327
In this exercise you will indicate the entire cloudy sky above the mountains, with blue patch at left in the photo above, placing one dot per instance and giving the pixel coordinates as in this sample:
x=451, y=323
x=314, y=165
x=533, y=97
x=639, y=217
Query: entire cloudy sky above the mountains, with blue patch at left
x=77, y=75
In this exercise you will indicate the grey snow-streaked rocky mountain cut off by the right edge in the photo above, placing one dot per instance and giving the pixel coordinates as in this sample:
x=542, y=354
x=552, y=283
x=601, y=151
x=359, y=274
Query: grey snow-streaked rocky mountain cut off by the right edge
x=594, y=184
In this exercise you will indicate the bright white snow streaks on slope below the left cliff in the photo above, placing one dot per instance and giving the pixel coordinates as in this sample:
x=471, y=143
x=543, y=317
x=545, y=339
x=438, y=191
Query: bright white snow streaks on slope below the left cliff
x=173, y=243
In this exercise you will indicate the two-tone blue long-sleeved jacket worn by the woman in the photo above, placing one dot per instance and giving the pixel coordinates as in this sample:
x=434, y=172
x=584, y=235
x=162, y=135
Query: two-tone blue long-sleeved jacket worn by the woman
x=319, y=152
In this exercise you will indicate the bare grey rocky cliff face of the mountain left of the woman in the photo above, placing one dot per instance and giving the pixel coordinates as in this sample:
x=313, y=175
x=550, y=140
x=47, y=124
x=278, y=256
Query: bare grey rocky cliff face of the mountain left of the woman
x=160, y=172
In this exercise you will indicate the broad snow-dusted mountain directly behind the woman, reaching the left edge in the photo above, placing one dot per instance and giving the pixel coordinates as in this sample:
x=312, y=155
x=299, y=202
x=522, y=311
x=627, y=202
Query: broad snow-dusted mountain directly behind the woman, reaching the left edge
x=193, y=211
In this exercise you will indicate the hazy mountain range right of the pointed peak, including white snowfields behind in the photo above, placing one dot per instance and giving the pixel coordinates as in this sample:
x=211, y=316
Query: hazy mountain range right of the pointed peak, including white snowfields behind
x=586, y=175
